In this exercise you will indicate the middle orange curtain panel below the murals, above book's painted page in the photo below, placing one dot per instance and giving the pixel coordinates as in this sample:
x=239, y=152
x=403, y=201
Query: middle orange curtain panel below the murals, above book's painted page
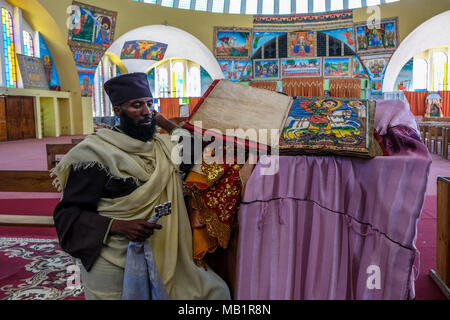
x=303, y=87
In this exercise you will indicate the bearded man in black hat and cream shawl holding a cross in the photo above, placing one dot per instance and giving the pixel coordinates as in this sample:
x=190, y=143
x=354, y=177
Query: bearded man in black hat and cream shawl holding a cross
x=111, y=183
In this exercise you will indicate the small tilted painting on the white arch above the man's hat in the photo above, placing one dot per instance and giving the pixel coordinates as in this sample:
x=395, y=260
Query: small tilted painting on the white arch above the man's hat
x=143, y=49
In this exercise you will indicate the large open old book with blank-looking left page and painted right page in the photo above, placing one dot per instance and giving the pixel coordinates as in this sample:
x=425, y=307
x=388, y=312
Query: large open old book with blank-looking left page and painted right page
x=294, y=126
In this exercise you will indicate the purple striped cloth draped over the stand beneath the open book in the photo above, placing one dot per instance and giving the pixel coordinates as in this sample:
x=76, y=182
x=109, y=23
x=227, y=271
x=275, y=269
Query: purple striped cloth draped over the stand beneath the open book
x=315, y=229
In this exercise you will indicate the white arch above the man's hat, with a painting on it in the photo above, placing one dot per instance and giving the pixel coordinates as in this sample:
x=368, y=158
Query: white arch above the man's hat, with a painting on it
x=180, y=44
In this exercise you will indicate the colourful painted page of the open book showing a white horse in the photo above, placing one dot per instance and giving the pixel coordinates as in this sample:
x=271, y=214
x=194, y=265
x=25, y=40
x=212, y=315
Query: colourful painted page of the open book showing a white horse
x=330, y=126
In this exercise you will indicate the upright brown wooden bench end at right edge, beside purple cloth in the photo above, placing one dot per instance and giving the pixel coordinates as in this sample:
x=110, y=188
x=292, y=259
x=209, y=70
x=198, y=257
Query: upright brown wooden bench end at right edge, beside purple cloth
x=442, y=274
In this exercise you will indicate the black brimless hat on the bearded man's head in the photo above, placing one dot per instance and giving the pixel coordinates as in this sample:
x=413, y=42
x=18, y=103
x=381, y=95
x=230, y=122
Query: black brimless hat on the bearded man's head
x=127, y=87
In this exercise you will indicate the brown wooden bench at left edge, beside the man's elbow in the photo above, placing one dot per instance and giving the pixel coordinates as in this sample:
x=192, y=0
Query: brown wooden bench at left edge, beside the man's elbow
x=26, y=181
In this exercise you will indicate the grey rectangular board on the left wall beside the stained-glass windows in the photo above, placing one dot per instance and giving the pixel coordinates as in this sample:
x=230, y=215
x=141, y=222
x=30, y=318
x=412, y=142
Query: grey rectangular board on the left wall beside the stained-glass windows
x=32, y=72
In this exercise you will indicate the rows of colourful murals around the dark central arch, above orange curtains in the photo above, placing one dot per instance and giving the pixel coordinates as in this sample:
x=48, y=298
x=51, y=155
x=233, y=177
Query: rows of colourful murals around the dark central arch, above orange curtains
x=372, y=45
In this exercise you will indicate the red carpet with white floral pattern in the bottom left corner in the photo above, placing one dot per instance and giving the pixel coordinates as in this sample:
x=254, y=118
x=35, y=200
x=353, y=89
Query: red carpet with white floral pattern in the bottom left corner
x=35, y=269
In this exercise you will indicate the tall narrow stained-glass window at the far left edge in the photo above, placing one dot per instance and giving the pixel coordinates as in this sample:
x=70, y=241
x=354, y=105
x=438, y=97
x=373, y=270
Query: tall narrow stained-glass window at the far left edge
x=9, y=49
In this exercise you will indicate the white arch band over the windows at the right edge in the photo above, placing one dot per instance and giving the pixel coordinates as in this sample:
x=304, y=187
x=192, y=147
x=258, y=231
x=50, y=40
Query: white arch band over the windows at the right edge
x=432, y=33
